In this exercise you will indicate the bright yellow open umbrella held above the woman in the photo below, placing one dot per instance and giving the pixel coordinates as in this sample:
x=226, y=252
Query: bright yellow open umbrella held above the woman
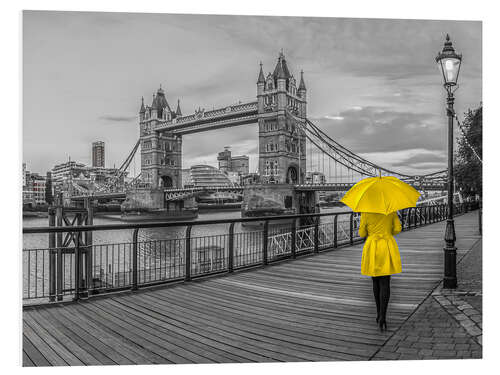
x=381, y=195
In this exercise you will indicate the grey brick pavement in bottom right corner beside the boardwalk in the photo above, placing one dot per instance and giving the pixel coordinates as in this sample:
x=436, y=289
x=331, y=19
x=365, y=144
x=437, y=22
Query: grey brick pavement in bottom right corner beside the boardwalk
x=448, y=324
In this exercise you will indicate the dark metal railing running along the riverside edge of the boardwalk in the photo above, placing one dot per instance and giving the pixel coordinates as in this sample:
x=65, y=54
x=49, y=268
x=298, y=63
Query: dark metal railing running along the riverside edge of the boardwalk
x=57, y=274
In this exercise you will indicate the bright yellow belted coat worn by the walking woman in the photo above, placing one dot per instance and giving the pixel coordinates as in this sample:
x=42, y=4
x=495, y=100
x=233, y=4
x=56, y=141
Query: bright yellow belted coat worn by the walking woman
x=380, y=252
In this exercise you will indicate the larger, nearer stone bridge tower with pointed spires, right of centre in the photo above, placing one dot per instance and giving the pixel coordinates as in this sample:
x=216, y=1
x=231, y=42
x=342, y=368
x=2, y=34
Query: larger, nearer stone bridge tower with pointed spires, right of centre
x=281, y=117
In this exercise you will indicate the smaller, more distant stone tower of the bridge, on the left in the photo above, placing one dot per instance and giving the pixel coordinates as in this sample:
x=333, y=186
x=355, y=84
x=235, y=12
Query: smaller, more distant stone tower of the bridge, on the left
x=161, y=152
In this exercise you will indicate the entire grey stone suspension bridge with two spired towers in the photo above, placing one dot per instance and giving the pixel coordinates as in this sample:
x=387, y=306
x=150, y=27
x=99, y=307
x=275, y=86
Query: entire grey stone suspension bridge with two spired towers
x=285, y=135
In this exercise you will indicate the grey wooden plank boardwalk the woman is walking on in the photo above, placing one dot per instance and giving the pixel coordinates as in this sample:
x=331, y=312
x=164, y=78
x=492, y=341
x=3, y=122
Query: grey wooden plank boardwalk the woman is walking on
x=316, y=308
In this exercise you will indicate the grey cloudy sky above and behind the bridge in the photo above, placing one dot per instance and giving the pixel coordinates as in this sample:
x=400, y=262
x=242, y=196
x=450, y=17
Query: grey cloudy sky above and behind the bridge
x=372, y=84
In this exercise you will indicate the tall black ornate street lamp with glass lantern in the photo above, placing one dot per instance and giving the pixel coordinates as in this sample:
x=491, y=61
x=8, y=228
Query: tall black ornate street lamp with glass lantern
x=449, y=63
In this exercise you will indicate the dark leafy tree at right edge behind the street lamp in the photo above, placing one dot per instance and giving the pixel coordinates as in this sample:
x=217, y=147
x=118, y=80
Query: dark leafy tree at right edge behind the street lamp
x=468, y=168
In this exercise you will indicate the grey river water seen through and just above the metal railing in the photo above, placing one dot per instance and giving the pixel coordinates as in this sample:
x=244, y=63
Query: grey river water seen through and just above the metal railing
x=162, y=251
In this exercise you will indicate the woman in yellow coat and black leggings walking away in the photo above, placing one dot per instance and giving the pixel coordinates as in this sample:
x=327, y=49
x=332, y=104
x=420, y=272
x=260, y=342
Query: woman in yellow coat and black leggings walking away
x=380, y=258
